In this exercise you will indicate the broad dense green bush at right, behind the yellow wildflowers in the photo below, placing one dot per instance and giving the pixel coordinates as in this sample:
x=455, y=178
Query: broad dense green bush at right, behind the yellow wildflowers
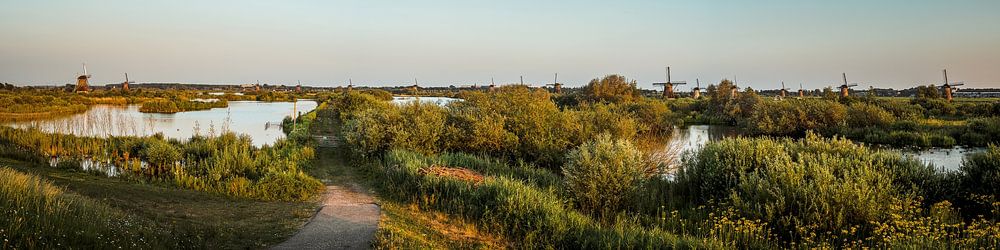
x=813, y=186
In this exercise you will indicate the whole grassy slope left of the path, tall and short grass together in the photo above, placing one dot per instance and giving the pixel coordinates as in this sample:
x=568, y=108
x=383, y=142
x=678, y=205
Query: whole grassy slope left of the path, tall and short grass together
x=162, y=217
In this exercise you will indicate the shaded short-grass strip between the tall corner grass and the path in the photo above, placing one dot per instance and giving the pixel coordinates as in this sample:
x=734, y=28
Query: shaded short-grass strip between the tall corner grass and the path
x=197, y=219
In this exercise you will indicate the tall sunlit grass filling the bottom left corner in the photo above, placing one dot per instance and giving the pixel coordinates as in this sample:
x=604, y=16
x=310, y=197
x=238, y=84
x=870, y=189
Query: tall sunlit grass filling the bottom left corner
x=37, y=214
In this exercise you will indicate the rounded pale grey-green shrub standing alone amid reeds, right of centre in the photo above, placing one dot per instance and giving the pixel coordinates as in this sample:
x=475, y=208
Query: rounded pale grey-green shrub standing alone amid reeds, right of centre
x=601, y=175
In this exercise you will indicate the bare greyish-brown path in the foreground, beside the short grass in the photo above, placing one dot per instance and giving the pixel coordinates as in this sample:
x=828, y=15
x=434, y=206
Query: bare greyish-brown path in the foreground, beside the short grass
x=347, y=220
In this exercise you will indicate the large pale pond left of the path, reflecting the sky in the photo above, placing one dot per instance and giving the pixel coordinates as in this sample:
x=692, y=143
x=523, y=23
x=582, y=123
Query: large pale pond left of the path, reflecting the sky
x=260, y=120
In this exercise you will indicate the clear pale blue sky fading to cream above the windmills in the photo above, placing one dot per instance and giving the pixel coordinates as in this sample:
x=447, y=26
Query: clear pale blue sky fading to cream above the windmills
x=890, y=43
